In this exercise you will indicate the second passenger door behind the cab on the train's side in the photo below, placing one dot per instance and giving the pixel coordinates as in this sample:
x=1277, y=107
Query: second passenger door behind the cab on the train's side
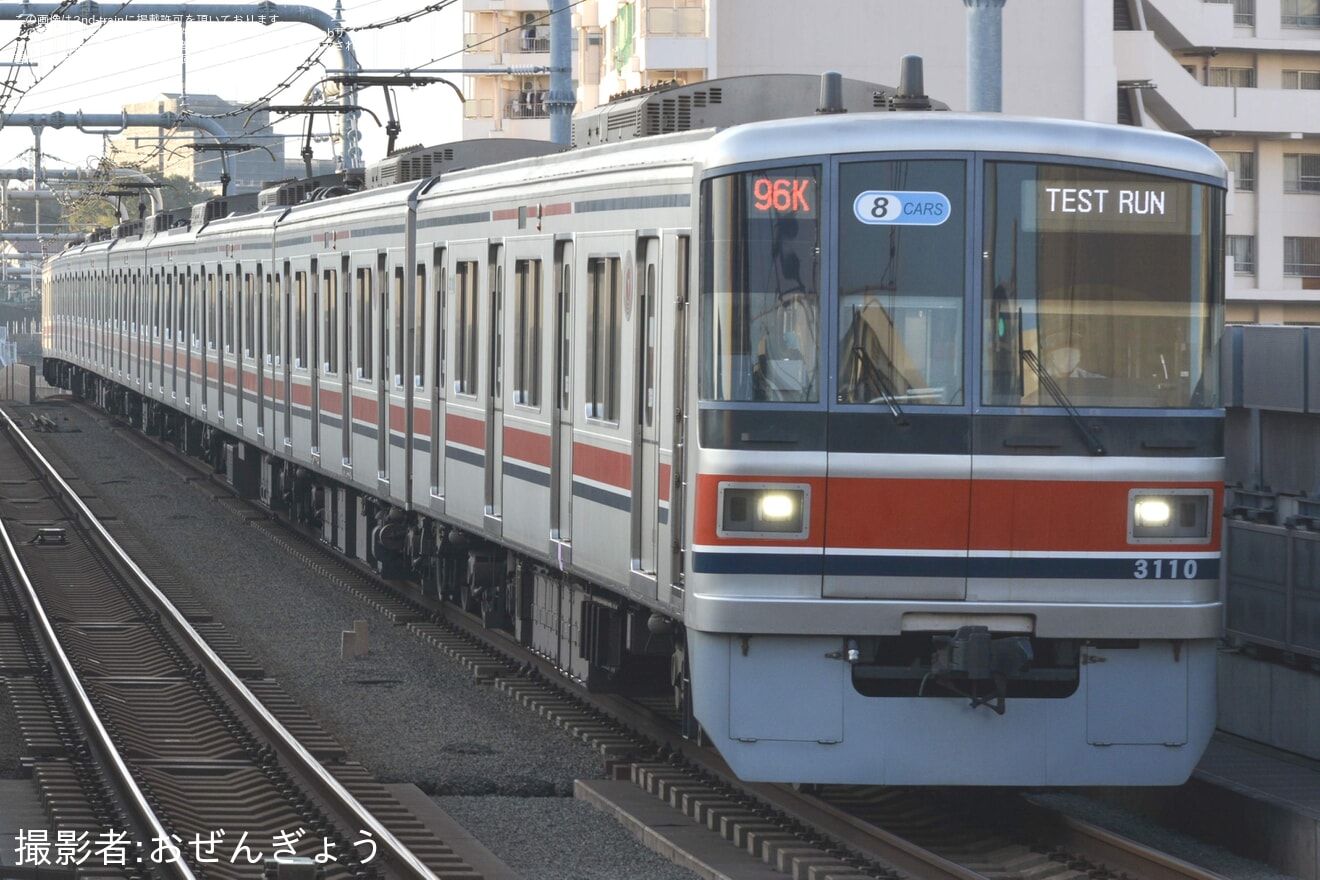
x=562, y=431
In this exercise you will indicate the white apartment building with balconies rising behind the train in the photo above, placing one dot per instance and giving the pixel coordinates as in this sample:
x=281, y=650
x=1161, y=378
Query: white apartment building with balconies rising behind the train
x=1243, y=76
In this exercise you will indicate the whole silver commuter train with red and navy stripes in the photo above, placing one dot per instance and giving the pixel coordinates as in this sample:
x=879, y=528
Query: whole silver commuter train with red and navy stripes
x=885, y=440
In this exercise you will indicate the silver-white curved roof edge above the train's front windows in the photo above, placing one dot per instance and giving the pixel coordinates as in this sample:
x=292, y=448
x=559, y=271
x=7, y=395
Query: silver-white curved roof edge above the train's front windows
x=962, y=133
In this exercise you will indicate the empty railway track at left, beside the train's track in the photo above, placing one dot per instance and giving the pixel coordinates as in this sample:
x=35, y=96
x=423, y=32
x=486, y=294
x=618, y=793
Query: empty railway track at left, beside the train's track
x=156, y=754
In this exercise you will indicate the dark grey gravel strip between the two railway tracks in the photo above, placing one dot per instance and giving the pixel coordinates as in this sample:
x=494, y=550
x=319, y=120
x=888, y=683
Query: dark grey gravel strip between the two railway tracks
x=405, y=710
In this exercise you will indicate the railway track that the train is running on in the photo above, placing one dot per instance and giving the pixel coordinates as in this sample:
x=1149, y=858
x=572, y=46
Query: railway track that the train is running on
x=847, y=833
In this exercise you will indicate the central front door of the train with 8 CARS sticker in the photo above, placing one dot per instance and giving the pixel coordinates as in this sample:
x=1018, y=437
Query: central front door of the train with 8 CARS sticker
x=898, y=495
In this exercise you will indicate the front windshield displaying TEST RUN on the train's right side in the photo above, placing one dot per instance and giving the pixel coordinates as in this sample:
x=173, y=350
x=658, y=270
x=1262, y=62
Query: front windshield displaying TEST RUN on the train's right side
x=1104, y=280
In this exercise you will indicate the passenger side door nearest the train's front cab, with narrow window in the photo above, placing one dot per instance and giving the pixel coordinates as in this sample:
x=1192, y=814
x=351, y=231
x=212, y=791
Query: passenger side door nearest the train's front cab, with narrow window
x=646, y=440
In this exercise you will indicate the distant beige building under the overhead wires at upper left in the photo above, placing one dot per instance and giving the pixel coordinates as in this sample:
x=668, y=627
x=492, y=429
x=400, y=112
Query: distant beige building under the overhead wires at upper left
x=185, y=152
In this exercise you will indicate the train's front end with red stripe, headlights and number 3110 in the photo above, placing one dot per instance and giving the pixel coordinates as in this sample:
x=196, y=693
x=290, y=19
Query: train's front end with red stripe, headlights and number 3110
x=958, y=469
